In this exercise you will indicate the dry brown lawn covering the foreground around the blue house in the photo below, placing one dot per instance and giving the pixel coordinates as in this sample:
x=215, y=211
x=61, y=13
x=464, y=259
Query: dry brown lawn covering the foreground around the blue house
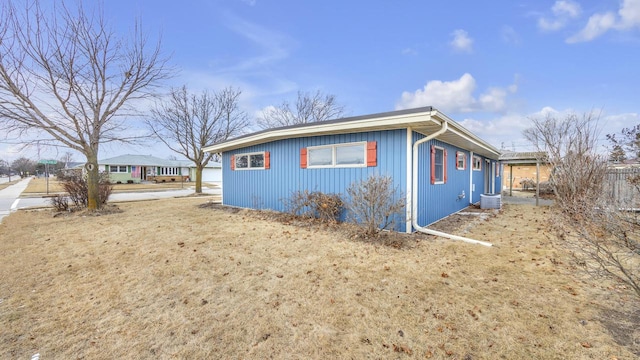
x=176, y=279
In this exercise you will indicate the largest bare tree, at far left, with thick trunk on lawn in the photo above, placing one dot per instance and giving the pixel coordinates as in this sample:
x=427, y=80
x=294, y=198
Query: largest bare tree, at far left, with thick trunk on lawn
x=66, y=75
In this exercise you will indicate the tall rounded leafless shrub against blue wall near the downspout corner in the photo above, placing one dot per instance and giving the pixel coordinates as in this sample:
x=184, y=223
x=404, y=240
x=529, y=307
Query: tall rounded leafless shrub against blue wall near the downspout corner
x=374, y=203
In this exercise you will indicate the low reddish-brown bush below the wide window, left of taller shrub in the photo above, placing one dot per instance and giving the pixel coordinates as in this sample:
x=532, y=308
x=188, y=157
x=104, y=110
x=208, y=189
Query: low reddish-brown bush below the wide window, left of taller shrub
x=325, y=207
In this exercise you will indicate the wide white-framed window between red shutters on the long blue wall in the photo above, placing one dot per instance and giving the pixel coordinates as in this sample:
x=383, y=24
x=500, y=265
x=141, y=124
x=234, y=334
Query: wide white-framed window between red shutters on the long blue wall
x=338, y=155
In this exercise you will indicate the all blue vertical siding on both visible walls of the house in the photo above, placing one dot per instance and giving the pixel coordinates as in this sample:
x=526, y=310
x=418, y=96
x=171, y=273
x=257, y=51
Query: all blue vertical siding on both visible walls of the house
x=269, y=189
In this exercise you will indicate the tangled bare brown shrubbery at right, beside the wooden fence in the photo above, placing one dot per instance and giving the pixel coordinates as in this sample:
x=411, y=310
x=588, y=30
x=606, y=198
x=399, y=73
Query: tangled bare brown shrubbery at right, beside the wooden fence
x=602, y=233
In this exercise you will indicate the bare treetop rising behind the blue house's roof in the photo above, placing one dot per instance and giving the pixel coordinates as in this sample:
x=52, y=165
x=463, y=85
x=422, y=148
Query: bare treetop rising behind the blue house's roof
x=308, y=108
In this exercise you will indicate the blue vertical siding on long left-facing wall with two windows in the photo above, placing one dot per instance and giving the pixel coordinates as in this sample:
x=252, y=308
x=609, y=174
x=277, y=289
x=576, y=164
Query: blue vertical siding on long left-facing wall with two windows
x=268, y=189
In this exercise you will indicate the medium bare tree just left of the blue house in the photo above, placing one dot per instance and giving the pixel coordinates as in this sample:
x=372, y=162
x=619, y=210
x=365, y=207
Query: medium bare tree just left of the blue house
x=188, y=122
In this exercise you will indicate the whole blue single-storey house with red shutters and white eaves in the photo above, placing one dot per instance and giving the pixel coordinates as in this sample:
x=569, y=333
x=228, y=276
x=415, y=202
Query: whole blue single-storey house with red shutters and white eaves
x=439, y=166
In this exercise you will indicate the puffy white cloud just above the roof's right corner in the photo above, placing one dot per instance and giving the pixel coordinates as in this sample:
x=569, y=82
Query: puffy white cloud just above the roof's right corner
x=457, y=96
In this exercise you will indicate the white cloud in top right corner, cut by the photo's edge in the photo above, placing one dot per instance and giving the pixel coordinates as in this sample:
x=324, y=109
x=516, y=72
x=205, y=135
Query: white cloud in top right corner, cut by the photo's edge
x=599, y=23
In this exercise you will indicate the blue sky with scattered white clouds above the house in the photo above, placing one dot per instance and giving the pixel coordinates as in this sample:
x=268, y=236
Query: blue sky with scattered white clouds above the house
x=490, y=65
